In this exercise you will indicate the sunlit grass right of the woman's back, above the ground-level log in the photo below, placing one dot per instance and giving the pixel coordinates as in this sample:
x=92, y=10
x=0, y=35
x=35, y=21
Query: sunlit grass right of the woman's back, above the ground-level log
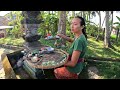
x=95, y=49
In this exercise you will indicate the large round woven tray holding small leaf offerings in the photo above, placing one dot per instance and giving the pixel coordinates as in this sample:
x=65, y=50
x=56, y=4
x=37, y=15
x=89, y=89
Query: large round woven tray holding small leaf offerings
x=49, y=61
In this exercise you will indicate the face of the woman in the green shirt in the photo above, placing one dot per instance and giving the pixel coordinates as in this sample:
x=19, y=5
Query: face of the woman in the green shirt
x=75, y=25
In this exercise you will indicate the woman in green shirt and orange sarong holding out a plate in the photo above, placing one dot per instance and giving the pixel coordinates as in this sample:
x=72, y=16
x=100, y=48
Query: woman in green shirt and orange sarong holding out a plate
x=77, y=51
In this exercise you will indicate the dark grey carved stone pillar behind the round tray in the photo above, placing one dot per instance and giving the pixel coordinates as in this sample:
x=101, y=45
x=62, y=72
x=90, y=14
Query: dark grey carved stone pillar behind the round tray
x=31, y=24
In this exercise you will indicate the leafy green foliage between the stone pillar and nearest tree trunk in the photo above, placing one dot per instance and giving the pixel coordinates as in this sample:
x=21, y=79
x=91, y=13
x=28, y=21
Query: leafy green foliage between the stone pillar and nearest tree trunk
x=50, y=23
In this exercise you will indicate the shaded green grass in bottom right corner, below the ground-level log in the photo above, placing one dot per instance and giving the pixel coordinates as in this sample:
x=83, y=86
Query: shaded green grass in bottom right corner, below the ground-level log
x=108, y=70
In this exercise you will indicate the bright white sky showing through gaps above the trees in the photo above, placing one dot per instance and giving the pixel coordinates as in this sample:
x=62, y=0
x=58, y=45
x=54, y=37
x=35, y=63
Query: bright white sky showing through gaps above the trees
x=95, y=19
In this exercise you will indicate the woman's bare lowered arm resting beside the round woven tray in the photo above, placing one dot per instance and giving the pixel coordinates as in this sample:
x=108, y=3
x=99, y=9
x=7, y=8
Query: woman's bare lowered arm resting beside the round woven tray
x=74, y=59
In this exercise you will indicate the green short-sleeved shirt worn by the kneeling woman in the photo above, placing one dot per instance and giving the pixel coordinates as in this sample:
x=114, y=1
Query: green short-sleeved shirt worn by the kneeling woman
x=79, y=44
